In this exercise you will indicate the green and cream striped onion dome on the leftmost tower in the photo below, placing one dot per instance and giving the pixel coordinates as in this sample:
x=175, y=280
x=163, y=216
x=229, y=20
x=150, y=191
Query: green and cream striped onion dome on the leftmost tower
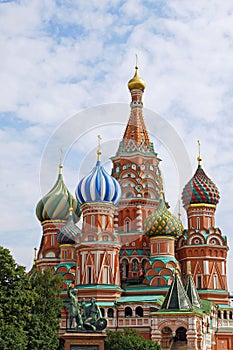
x=56, y=203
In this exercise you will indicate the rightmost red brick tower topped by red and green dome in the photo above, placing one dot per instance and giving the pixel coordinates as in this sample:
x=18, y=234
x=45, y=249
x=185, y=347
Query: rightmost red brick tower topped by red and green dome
x=202, y=249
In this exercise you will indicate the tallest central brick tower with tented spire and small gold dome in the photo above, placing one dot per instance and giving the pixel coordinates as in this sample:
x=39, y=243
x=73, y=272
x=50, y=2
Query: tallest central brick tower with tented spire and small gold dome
x=136, y=167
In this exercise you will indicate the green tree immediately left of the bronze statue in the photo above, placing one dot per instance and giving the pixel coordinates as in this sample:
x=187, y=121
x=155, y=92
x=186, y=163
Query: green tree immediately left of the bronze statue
x=45, y=314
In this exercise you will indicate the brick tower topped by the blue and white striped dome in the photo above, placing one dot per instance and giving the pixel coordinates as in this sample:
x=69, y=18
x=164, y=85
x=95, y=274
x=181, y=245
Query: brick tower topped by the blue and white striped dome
x=97, y=249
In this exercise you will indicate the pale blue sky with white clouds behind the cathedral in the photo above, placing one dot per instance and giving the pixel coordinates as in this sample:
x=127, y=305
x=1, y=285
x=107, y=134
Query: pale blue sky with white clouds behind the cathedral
x=59, y=58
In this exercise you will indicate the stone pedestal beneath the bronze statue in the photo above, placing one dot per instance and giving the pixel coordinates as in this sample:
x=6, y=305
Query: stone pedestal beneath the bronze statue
x=84, y=341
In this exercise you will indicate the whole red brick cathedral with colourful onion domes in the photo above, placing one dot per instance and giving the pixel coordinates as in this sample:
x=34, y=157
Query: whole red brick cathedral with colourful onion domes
x=131, y=254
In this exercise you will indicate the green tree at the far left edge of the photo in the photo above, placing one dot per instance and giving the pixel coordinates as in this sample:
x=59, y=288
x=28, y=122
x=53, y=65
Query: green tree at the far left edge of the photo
x=15, y=302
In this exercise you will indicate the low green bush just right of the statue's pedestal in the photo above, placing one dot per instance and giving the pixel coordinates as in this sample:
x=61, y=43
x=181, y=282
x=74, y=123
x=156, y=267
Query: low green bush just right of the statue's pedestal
x=128, y=339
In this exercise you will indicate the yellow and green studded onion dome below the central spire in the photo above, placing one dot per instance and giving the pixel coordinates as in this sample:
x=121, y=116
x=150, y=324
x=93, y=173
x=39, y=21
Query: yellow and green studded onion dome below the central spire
x=162, y=222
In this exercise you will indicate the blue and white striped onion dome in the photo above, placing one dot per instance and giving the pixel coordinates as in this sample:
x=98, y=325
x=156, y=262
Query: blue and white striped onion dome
x=98, y=186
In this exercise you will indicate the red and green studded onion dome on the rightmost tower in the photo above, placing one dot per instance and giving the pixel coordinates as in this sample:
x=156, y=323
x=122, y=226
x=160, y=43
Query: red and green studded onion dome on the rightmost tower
x=200, y=189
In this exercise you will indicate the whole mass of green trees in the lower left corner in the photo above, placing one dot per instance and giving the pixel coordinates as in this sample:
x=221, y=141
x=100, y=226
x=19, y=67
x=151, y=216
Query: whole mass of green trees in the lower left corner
x=29, y=307
